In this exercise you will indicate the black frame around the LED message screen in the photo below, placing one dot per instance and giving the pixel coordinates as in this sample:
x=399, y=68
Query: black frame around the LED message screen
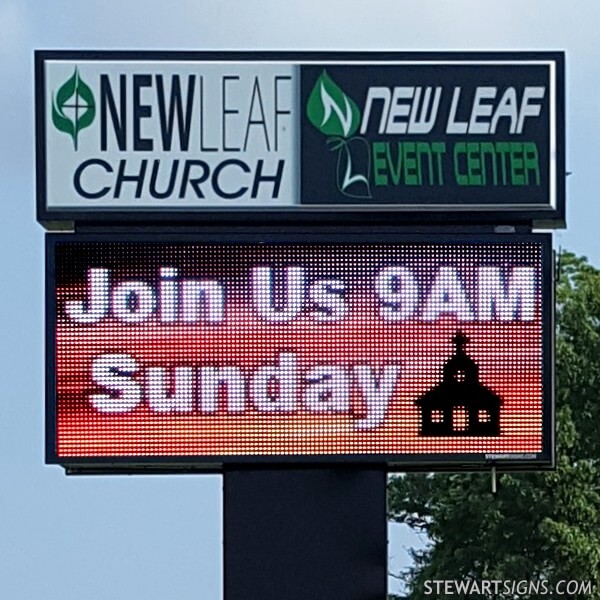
x=397, y=462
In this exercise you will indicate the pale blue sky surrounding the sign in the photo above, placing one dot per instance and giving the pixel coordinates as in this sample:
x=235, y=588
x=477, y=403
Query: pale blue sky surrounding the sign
x=117, y=538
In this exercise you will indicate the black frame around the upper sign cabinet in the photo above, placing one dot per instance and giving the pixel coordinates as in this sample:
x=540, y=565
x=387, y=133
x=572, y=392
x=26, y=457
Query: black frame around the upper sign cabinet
x=542, y=215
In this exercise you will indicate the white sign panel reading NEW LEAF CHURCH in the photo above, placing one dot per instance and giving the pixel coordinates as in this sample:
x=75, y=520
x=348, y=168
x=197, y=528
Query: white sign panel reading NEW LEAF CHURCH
x=165, y=134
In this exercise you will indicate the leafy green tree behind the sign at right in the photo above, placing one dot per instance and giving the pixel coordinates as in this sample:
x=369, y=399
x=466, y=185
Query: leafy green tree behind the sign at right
x=539, y=526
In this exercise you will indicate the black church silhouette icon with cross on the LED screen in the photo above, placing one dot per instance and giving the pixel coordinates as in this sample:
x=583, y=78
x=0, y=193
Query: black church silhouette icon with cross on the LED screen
x=460, y=405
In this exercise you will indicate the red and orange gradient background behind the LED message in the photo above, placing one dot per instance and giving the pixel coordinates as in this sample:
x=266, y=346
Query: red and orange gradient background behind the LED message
x=509, y=354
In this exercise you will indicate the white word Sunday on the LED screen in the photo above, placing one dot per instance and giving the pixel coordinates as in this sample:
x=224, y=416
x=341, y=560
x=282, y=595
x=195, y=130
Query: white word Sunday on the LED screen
x=281, y=388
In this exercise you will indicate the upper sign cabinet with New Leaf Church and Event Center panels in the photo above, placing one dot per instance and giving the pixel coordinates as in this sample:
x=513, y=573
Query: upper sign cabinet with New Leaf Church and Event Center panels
x=175, y=136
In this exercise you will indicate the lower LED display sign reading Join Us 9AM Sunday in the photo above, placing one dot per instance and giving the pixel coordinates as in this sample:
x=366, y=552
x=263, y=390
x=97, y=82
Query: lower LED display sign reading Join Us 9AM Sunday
x=192, y=352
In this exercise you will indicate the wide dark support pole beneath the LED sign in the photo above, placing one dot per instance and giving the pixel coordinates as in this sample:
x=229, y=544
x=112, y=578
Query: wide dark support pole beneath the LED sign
x=305, y=534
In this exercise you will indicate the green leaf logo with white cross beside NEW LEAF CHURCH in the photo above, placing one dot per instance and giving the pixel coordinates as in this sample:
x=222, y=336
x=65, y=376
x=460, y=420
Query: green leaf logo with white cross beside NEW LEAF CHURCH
x=73, y=107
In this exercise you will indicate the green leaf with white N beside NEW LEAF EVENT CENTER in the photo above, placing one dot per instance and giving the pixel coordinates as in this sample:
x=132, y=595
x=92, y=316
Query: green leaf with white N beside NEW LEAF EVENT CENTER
x=330, y=110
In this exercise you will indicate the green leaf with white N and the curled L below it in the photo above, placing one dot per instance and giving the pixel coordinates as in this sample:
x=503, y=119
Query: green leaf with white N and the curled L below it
x=336, y=115
